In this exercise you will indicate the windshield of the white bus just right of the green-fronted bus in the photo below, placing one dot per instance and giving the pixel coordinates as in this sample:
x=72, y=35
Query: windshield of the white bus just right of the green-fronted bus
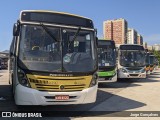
x=132, y=58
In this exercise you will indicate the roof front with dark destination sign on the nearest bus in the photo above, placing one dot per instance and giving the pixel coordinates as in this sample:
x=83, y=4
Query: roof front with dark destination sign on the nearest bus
x=53, y=17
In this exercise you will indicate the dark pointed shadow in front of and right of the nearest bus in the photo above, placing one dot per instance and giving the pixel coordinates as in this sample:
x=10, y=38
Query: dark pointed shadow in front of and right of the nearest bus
x=111, y=106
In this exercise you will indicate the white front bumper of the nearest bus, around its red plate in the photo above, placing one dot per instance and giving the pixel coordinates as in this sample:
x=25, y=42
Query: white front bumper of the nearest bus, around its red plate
x=28, y=96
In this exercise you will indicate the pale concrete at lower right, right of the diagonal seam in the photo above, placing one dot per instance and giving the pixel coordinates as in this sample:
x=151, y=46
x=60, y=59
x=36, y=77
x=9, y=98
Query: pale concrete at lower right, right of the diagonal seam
x=143, y=96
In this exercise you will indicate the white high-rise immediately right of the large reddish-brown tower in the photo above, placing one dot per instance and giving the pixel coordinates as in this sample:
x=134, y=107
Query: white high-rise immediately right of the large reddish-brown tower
x=131, y=36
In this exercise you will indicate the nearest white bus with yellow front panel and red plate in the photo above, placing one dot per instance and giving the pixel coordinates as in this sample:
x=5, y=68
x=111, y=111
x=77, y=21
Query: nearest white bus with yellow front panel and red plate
x=53, y=59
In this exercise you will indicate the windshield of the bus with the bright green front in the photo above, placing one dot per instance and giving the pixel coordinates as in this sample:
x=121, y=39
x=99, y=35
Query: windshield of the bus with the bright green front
x=106, y=56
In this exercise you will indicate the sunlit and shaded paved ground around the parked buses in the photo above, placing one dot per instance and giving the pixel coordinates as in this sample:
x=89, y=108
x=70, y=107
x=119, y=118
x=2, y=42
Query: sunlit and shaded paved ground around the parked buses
x=118, y=96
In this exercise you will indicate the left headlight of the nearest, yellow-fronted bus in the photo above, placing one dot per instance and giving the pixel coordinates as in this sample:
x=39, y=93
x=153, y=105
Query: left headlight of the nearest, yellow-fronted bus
x=22, y=78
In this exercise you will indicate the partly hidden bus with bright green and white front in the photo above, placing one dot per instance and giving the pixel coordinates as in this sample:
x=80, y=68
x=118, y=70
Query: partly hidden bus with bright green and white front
x=107, y=61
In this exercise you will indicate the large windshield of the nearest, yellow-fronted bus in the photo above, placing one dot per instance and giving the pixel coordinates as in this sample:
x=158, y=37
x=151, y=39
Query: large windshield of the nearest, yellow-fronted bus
x=40, y=52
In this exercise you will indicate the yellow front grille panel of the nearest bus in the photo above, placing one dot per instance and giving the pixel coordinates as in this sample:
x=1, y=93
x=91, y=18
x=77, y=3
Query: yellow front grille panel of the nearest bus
x=59, y=85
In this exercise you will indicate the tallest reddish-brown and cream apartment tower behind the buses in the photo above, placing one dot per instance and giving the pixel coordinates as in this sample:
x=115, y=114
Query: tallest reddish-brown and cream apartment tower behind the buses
x=116, y=30
